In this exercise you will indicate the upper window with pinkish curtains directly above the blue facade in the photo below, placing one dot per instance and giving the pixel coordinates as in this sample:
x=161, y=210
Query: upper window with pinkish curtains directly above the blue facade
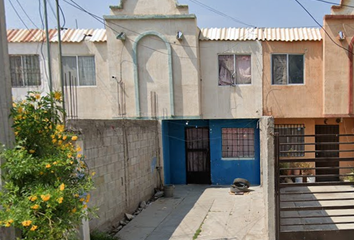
x=234, y=69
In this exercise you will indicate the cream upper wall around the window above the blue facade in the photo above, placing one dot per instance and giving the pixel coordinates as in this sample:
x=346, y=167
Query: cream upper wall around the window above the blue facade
x=239, y=101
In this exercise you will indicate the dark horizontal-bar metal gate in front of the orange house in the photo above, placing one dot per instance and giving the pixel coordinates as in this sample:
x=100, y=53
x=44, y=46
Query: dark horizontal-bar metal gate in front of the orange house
x=315, y=192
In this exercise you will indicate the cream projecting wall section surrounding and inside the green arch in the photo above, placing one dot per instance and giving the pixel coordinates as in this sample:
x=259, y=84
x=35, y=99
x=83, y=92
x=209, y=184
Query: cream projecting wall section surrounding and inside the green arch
x=152, y=56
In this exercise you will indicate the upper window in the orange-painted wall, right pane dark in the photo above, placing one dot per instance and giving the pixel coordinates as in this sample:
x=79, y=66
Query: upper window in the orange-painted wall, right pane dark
x=287, y=69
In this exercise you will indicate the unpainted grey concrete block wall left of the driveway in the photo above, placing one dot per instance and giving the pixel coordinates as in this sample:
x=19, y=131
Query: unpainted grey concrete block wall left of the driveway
x=124, y=154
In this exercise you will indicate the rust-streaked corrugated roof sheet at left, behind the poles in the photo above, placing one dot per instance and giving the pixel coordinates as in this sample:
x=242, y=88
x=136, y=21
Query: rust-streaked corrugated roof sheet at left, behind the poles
x=67, y=36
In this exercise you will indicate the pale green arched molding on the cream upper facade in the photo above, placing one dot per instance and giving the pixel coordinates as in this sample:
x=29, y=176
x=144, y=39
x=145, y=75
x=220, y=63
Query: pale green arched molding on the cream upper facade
x=136, y=70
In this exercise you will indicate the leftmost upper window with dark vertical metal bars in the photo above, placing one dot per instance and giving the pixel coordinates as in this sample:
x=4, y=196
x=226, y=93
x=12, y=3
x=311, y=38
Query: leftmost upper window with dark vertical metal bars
x=25, y=70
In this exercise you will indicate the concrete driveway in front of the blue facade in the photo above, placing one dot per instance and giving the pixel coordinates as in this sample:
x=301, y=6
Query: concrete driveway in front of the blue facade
x=201, y=212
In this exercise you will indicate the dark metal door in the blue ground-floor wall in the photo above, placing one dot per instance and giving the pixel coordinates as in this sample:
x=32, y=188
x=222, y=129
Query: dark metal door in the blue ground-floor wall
x=198, y=155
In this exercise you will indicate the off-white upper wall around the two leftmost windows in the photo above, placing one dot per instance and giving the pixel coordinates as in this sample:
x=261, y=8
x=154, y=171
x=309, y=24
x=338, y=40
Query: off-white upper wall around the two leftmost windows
x=94, y=102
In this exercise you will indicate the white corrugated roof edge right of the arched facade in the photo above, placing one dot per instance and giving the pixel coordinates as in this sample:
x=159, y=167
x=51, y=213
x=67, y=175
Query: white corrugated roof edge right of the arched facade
x=262, y=34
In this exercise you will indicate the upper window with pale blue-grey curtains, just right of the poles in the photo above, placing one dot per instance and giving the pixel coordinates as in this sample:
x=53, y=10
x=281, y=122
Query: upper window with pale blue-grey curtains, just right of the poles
x=79, y=71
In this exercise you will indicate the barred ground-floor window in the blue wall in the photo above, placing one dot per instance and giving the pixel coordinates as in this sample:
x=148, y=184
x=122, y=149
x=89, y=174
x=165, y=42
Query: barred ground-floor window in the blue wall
x=238, y=143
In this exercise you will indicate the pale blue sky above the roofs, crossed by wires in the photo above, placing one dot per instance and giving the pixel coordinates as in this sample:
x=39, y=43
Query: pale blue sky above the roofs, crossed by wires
x=258, y=13
